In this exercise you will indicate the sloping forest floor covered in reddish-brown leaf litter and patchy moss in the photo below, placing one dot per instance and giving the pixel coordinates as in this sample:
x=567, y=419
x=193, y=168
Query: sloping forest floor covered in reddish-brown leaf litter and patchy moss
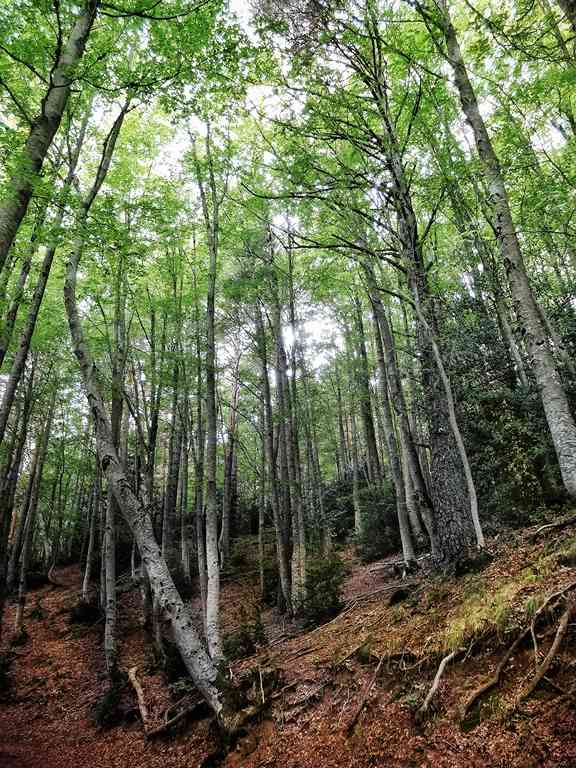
x=374, y=664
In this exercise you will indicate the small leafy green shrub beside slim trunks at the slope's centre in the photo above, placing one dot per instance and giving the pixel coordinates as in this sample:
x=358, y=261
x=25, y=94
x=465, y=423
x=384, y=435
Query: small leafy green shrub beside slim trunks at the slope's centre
x=324, y=580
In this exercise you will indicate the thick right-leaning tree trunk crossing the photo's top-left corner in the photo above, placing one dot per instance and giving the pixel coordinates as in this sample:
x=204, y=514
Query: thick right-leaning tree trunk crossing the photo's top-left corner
x=43, y=129
